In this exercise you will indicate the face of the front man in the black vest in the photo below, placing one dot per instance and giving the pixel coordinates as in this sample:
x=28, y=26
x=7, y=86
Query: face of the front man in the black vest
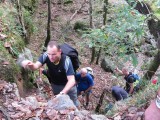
x=54, y=54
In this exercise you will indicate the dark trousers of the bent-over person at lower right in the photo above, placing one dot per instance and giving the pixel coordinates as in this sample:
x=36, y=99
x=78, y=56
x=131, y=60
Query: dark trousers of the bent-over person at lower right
x=119, y=93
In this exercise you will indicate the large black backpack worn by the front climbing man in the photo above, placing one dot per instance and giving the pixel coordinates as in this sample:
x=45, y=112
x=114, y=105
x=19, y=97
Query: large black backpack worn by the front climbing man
x=72, y=53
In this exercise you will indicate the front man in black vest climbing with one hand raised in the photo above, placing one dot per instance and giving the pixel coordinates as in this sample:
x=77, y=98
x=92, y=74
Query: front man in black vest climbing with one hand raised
x=60, y=70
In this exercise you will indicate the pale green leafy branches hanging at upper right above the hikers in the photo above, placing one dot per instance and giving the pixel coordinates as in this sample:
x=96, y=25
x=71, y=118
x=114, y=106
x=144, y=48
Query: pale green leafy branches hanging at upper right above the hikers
x=120, y=36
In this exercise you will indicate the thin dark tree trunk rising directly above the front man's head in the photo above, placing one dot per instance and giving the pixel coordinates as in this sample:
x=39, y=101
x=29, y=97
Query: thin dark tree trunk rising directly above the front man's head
x=48, y=24
